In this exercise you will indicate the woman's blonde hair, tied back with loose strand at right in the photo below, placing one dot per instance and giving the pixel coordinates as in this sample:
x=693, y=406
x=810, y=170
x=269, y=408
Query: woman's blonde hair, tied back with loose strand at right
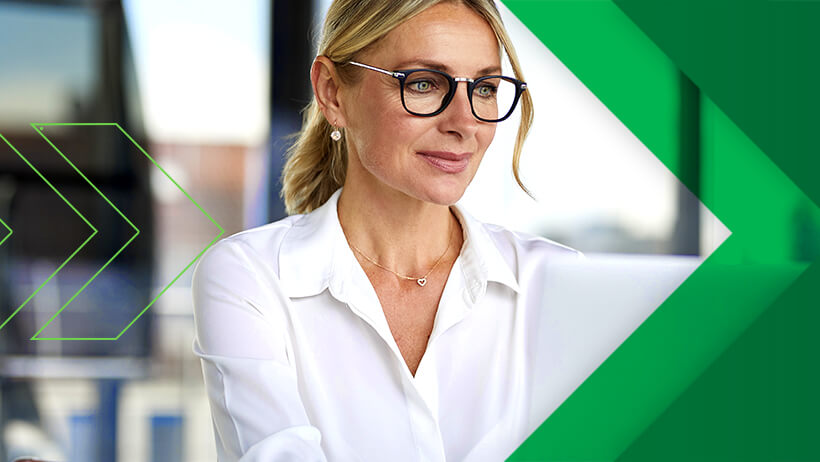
x=316, y=165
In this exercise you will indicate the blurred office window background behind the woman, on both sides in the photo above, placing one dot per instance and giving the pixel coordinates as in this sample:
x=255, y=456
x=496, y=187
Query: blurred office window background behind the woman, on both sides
x=209, y=90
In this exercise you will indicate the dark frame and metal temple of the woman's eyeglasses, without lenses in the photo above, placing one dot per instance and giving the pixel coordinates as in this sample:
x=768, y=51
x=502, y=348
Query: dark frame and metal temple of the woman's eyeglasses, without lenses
x=402, y=75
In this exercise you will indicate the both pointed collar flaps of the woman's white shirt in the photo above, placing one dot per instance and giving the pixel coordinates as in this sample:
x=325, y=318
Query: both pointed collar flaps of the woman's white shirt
x=314, y=255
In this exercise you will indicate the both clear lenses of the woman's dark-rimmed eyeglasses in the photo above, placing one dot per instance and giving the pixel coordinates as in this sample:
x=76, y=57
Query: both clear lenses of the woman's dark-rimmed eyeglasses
x=425, y=92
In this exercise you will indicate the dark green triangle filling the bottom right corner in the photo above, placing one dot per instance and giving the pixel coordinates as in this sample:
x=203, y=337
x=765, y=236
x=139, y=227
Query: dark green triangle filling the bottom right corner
x=758, y=401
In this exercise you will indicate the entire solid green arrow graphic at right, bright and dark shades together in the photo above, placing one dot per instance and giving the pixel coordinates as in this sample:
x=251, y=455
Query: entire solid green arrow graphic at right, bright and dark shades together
x=690, y=384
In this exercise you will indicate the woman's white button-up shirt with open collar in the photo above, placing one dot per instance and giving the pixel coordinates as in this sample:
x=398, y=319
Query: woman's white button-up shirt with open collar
x=300, y=364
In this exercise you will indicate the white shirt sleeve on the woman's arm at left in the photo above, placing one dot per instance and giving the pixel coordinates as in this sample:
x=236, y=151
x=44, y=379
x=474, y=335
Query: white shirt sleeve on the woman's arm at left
x=241, y=340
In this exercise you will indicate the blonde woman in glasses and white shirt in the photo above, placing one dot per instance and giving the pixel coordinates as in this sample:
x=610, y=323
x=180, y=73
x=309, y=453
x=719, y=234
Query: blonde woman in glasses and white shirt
x=380, y=322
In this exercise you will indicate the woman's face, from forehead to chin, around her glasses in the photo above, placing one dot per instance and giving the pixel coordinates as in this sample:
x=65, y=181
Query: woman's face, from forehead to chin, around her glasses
x=429, y=158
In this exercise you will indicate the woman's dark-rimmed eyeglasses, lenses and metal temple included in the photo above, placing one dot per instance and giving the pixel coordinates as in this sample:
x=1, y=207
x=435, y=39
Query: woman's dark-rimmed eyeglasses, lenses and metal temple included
x=427, y=92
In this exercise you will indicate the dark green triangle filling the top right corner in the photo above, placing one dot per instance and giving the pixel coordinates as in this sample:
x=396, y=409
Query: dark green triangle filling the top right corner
x=758, y=61
